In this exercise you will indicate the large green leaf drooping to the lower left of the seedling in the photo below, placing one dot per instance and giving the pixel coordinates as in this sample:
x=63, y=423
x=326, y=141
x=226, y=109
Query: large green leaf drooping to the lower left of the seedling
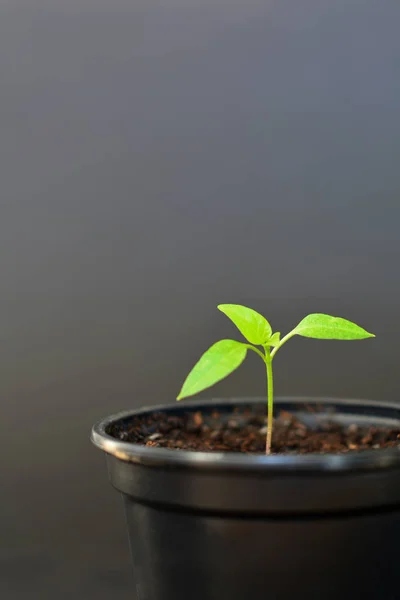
x=217, y=362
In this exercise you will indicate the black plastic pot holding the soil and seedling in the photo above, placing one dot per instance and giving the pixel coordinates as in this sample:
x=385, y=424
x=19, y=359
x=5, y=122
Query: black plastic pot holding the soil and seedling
x=224, y=526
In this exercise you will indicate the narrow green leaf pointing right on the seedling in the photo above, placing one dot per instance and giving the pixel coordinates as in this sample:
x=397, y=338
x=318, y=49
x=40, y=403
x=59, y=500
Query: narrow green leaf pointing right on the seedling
x=325, y=327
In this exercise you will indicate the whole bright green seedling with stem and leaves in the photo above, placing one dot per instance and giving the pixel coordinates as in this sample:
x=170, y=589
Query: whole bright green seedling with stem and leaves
x=226, y=356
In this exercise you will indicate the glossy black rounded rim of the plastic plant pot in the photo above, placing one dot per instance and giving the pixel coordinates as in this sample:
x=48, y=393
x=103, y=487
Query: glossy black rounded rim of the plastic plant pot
x=364, y=460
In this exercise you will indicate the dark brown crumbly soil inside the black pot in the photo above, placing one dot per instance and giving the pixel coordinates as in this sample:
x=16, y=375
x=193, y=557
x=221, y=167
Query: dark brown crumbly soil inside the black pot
x=244, y=430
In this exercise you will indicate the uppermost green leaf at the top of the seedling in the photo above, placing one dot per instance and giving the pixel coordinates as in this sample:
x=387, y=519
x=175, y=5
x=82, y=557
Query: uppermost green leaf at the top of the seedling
x=253, y=326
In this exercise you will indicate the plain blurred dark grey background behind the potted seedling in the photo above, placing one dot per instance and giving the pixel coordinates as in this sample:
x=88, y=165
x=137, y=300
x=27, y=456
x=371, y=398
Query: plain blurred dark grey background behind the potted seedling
x=158, y=157
